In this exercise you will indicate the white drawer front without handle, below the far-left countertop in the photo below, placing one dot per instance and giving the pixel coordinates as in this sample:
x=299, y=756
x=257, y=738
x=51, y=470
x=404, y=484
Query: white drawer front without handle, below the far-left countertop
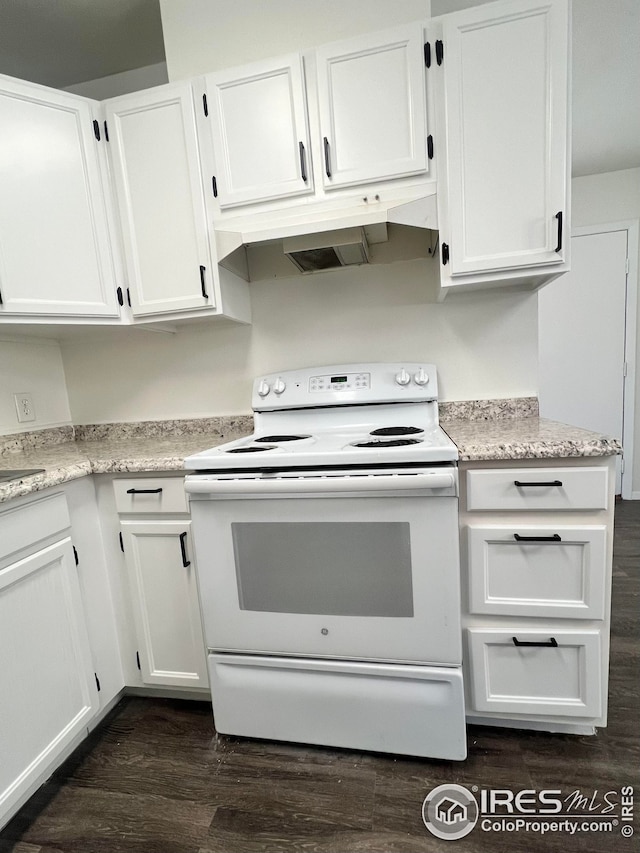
x=26, y=525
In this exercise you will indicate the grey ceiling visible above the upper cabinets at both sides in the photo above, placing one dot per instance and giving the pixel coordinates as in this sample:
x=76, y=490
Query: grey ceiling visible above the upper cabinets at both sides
x=62, y=42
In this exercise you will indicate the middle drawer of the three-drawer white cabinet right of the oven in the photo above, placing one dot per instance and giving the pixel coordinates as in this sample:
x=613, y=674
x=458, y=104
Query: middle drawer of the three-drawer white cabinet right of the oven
x=537, y=571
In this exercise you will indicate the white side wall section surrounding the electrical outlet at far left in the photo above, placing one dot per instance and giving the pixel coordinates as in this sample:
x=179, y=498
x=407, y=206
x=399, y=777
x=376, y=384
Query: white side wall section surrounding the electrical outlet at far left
x=36, y=368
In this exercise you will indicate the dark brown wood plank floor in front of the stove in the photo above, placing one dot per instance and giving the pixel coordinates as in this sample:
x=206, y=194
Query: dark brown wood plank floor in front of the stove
x=155, y=778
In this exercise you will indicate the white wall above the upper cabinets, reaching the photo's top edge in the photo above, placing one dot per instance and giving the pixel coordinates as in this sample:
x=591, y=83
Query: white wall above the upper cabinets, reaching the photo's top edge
x=207, y=35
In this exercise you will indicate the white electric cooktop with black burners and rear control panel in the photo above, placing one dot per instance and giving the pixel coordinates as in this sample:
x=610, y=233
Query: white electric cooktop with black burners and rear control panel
x=357, y=414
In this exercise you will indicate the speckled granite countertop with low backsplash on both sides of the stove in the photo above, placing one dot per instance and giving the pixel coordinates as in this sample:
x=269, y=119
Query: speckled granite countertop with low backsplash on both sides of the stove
x=68, y=453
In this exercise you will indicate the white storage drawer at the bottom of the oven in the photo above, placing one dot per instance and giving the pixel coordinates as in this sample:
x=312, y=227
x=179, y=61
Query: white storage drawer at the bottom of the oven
x=410, y=710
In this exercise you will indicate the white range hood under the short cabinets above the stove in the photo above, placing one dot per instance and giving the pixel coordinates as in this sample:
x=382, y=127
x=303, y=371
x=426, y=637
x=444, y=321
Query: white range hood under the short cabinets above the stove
x=317, y=237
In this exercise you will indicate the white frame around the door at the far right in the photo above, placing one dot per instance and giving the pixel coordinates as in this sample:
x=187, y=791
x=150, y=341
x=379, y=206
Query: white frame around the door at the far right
x=632, y=227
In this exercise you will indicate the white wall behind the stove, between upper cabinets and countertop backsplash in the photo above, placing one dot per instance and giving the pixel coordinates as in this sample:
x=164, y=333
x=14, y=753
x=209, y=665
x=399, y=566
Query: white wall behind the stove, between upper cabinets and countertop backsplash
x=484, y=345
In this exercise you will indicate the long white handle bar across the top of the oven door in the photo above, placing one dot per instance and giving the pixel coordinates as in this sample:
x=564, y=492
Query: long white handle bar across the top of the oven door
x=373, y=485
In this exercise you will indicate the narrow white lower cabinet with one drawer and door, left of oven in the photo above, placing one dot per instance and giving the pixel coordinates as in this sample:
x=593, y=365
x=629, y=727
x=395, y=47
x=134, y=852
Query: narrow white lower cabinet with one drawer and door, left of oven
x=162, y=581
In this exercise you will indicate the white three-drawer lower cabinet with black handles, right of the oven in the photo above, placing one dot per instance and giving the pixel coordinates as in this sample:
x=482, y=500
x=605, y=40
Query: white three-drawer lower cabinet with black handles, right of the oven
x=536, y=549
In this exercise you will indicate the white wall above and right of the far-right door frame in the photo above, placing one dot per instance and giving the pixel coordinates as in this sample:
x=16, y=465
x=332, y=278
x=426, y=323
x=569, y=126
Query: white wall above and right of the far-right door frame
x=601, y=199
